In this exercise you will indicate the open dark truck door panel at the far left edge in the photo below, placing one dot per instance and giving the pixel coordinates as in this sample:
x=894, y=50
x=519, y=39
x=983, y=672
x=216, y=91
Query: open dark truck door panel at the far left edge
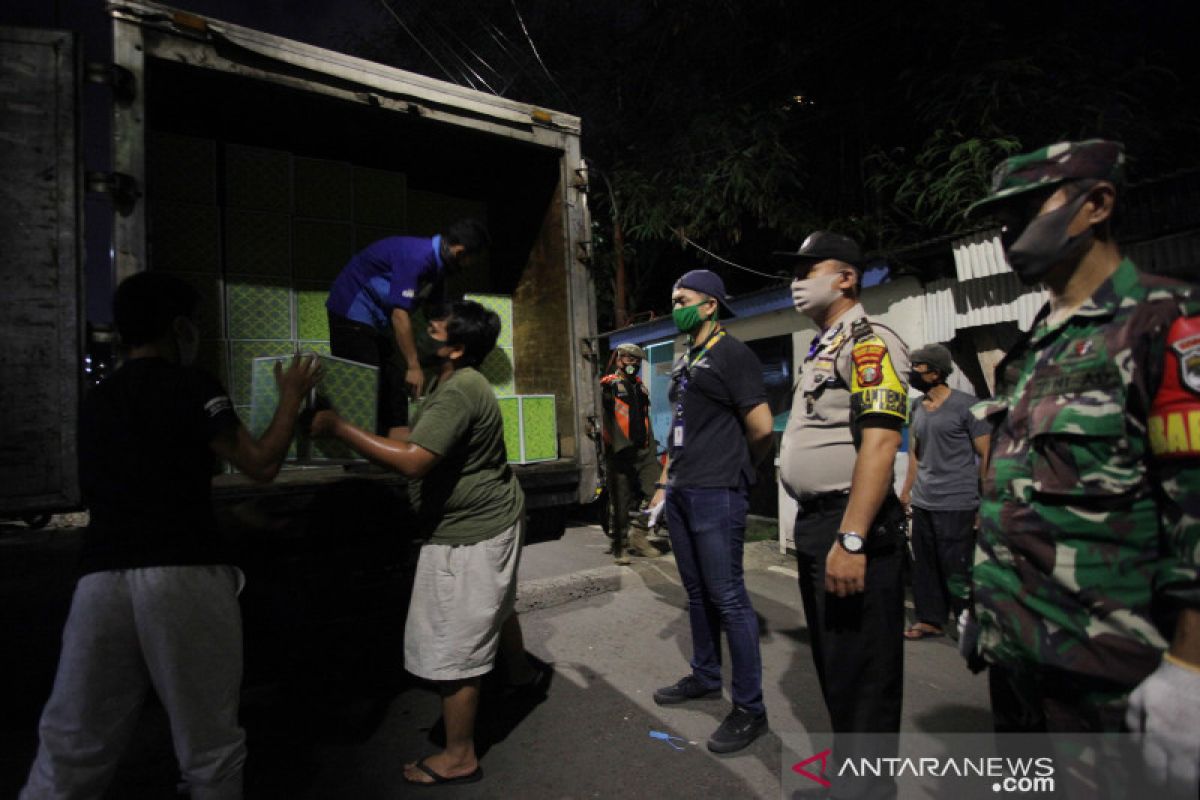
x=40, y=303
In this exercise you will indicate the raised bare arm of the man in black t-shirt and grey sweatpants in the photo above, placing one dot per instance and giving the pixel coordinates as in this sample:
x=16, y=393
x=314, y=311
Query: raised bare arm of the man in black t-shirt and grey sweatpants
x=261, y=459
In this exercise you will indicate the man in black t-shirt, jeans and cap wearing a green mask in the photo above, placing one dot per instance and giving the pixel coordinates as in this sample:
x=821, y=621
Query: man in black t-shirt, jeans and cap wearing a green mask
x=721, y=430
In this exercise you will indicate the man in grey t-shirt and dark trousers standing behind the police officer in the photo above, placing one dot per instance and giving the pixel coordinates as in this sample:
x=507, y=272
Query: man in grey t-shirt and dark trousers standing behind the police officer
x=941, y=491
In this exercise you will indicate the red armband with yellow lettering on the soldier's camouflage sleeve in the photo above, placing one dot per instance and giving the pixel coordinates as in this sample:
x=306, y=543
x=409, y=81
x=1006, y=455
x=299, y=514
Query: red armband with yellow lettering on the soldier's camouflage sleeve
x=1175, y=416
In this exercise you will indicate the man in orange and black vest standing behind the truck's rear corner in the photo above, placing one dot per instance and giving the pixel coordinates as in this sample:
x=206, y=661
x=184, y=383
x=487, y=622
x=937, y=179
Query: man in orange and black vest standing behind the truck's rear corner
x=631, y=452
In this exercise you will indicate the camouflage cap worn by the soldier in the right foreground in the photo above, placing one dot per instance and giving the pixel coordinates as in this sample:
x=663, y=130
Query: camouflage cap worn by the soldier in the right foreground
x=1052, y=166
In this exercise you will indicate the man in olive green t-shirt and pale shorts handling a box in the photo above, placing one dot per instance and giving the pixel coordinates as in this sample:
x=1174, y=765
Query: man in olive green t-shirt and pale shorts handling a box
x=471, y=507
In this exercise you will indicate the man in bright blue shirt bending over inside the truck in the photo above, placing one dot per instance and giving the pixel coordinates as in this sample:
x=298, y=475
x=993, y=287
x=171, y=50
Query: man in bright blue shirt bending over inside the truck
x=371, y=304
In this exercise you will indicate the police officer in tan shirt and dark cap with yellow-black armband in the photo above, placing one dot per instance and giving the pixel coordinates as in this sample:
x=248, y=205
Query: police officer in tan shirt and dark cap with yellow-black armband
x=837, y=460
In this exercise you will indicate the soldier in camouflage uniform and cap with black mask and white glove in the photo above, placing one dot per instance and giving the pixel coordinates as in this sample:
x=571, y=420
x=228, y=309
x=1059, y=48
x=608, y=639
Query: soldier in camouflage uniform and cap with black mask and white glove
x=1085, y=579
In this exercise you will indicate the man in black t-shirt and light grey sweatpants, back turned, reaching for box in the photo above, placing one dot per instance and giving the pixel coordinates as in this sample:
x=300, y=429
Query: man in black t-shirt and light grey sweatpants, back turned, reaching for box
x=157, y=606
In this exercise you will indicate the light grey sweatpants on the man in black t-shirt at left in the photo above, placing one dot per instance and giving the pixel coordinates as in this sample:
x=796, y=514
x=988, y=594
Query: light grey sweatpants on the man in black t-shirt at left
x=177, y=630
